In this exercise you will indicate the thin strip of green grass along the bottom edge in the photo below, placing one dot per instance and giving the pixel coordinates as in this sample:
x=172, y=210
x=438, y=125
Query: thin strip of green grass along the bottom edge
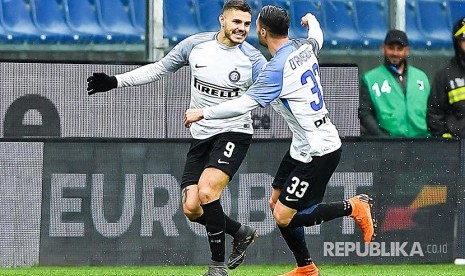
x=244, y=270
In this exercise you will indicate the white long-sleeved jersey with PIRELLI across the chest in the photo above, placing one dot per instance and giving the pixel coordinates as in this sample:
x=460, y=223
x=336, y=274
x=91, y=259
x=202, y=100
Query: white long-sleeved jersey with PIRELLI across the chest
x=218, y=73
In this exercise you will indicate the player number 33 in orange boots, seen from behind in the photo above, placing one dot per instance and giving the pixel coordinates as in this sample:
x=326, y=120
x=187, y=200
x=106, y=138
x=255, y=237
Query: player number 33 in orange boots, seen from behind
x=290, y=82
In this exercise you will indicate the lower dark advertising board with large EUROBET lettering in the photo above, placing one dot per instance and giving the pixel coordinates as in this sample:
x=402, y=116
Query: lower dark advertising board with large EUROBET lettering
x=85, y=201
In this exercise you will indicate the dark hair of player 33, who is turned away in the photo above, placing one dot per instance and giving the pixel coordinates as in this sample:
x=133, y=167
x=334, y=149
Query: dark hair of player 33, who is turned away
x=275, y=19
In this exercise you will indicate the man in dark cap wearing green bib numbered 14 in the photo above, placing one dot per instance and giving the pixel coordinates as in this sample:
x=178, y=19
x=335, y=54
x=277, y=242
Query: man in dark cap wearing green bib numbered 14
x=393, y=96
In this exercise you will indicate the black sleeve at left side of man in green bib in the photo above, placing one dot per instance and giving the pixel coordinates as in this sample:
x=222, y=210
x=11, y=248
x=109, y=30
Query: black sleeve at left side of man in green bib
x=366, y=113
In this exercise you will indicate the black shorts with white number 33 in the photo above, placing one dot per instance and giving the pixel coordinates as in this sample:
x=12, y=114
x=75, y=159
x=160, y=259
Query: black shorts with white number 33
x=304, y=184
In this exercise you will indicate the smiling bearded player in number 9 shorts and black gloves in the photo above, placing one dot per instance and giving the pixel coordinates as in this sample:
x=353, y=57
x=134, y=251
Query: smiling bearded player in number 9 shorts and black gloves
x=222, y=67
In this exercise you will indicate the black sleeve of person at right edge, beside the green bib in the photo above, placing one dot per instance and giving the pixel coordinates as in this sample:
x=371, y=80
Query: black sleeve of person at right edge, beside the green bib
x=437, y=106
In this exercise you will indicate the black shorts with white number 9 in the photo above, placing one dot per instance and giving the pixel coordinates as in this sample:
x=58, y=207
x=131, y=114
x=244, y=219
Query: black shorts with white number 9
x=224, y=151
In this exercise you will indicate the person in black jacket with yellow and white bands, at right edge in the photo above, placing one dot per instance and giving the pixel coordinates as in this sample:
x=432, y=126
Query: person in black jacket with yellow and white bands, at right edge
x=446, y=104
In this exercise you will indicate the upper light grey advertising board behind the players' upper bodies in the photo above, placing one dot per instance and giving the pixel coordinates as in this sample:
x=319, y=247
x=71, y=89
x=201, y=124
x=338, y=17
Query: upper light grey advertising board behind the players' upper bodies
x=50, y=99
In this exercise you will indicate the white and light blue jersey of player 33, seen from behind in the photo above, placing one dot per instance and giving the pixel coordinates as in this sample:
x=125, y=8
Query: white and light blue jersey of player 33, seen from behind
x=291, y=83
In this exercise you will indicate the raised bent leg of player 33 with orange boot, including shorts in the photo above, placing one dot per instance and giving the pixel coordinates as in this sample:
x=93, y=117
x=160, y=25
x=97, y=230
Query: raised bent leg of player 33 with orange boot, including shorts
x=315, y=177
